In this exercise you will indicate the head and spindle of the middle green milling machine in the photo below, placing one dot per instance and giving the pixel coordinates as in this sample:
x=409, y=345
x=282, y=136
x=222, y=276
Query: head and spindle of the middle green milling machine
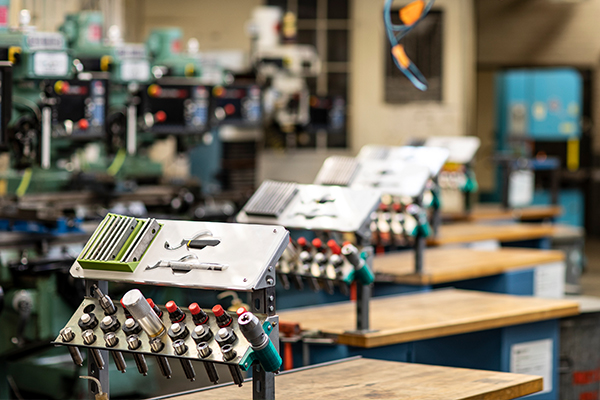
x=128, y=66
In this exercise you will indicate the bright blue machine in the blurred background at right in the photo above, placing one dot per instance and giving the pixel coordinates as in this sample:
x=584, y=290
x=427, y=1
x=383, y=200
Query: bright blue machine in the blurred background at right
x=541, y=105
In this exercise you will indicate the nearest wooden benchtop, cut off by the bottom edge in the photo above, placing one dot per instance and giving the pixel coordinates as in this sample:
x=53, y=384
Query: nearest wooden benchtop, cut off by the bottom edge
x=376, y=379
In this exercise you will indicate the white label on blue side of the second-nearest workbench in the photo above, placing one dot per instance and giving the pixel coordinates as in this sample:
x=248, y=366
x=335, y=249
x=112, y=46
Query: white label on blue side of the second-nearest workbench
x=533, y=358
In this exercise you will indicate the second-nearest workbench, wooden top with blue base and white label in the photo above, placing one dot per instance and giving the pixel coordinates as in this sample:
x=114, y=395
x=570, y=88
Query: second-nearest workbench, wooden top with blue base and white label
x=449, y=327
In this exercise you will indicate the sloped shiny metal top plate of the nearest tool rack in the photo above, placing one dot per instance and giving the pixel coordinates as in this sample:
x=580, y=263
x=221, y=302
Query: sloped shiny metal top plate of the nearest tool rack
x=248, y=250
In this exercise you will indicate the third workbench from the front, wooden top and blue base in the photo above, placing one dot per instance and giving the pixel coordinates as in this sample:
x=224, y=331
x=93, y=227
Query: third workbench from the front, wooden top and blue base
x=505, y=270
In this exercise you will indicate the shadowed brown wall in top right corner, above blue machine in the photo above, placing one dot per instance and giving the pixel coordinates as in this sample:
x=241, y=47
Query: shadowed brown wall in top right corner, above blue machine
x=540, y=32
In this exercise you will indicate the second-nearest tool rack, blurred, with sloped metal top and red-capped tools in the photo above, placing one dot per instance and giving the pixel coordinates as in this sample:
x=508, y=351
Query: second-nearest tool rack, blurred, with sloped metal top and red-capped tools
x=324, y=211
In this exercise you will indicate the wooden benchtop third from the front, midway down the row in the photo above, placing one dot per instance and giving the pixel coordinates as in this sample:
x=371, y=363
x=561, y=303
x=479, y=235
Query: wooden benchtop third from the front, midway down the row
x=442, y=265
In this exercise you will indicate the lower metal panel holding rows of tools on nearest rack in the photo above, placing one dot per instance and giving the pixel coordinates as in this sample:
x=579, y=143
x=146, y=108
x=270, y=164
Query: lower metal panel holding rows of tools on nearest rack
x=241, y=346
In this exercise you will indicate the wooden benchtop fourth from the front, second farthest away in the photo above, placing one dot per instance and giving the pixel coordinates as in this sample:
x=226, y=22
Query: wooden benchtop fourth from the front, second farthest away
x=475, y=232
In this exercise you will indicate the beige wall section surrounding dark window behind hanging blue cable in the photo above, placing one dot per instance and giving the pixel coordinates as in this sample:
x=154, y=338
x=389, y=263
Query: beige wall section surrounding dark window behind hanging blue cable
x=374, y=121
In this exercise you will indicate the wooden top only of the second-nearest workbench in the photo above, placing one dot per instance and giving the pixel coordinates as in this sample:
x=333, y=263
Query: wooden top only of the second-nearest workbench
x=411, y=317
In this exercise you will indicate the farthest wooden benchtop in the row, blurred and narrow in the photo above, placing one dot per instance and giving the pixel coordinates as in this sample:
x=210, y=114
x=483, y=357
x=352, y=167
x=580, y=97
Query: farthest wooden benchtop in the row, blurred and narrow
x=488, y=212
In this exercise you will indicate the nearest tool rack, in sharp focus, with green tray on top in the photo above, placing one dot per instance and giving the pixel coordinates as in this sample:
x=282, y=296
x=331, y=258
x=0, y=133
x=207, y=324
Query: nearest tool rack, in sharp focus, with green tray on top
x=198, y=255
